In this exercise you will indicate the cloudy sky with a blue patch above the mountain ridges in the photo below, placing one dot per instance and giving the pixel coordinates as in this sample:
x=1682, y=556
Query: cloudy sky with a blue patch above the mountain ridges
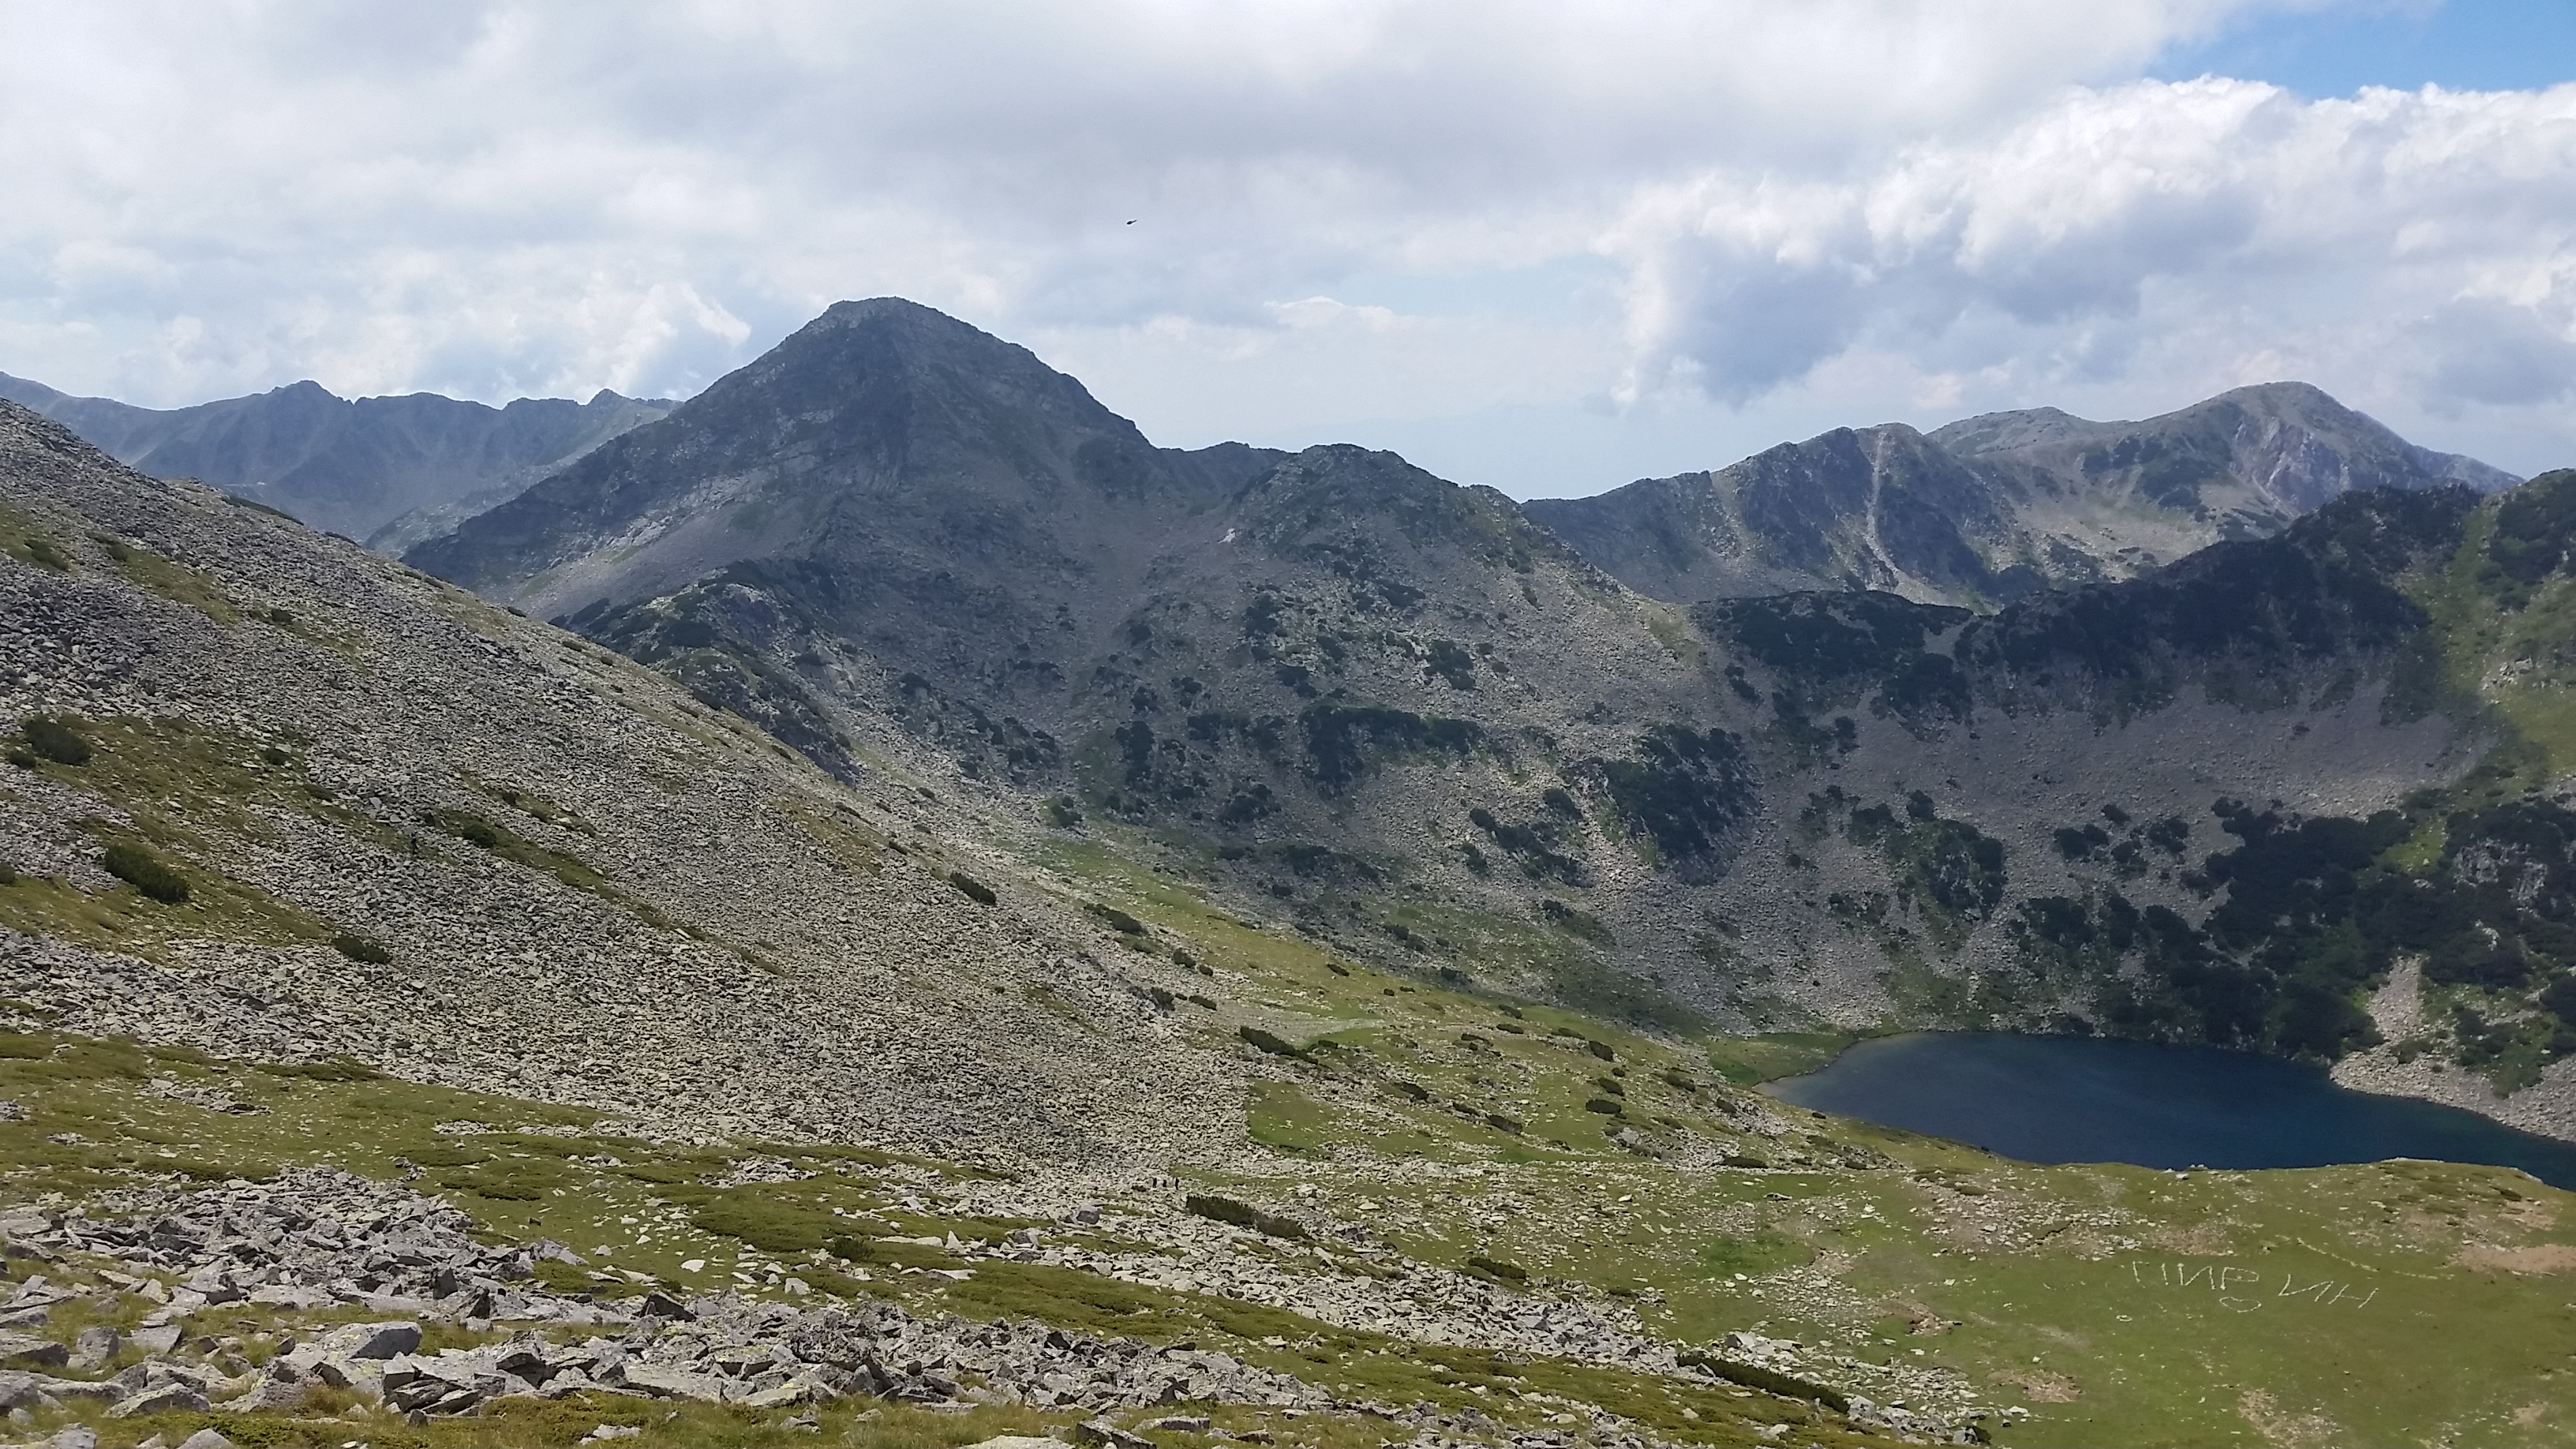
x=1544, y=246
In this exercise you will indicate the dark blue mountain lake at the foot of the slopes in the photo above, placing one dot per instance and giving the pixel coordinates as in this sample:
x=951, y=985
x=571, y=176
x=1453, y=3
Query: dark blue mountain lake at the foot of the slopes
x=2078, y=1100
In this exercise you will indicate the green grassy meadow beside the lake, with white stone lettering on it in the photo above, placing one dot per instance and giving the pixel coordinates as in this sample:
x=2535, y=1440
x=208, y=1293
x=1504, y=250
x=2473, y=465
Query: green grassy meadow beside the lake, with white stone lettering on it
x=2096, y=1283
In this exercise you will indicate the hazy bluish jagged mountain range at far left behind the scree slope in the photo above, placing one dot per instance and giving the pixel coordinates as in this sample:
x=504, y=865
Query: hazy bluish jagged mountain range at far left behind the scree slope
x=385, y=471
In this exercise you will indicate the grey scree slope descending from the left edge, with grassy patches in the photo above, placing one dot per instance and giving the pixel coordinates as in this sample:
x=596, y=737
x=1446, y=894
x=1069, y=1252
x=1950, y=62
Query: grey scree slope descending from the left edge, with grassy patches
x=519, y=844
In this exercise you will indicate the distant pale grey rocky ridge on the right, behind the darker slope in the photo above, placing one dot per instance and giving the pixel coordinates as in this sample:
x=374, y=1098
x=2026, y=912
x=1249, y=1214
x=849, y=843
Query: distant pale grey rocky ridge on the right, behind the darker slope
x=1998, y=507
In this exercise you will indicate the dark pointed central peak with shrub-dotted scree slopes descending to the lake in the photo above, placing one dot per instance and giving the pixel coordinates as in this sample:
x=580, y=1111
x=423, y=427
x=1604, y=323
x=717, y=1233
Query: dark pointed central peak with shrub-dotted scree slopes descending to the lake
x=1439, y=736
